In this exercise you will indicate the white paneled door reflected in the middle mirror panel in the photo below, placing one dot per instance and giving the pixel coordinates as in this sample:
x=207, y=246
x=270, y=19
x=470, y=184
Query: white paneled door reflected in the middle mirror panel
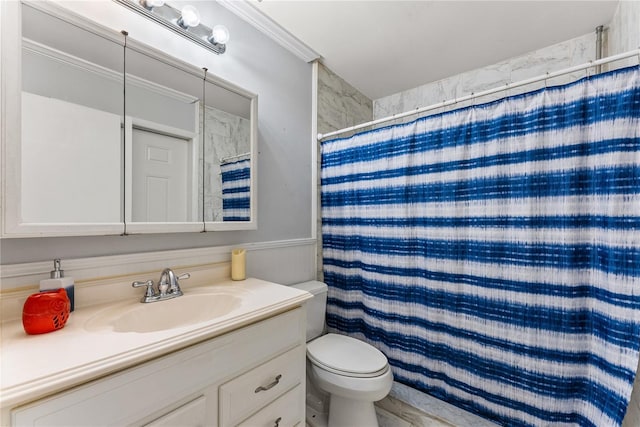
x=160, y=188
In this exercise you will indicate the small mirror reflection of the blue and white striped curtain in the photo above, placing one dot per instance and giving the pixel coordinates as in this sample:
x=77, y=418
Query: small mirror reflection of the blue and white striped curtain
x=236, y=190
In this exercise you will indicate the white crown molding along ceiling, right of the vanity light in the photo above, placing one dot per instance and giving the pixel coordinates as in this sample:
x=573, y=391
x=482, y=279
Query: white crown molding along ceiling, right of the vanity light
x=268, y=26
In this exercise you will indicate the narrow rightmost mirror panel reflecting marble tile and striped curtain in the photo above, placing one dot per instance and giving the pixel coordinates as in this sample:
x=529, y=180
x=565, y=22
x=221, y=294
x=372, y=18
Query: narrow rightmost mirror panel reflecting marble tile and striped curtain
x=227, y=146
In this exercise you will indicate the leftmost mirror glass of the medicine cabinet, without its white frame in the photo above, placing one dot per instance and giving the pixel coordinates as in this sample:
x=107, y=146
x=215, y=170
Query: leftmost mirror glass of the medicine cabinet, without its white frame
x=71, y=145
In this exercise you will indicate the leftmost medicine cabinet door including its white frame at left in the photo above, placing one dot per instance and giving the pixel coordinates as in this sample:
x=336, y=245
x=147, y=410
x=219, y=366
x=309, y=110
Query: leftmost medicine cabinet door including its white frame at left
x=65, y=127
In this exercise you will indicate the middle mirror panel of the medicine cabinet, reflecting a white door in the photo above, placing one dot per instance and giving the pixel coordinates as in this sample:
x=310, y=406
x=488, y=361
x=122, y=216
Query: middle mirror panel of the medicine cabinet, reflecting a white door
x=163, y=143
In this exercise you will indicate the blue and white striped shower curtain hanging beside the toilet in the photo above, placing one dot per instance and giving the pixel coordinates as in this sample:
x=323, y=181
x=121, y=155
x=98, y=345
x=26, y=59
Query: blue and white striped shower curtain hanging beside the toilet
x=493, y=252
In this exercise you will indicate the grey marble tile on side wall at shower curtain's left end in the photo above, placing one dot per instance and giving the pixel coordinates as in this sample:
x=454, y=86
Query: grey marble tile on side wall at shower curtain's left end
x=340, y=105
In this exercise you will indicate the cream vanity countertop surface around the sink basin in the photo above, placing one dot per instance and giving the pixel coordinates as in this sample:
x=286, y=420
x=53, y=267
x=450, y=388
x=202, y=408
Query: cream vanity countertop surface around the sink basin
x=34, y=366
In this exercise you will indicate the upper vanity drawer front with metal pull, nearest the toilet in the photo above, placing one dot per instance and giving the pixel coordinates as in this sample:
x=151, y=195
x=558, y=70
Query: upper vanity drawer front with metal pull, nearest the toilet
x=253, y=390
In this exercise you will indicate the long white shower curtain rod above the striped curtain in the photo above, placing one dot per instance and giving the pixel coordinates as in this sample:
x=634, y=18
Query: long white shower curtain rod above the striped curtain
x=506, y=86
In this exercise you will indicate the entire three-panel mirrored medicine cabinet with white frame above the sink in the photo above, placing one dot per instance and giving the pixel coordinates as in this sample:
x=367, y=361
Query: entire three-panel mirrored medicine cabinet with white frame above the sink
x=105, y=135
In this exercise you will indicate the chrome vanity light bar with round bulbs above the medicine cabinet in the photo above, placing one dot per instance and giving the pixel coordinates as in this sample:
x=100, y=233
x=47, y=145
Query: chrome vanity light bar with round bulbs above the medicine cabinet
x=185, y=22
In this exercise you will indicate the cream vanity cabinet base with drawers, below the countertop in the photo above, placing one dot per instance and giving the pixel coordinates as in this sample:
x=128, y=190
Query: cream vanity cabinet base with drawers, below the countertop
x=253, y=376
